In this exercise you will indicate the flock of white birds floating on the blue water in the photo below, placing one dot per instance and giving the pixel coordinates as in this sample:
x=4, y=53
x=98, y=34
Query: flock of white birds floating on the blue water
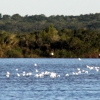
x=39, y=74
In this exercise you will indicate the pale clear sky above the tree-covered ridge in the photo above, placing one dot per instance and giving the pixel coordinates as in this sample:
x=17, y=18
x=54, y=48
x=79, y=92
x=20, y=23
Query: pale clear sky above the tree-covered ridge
x=49, y=7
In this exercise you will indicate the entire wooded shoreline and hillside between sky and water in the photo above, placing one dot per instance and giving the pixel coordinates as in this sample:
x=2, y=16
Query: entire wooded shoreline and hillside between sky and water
x=54, y=36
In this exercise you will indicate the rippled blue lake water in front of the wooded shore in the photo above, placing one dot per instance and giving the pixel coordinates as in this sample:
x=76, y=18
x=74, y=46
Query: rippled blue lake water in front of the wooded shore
x=73, y=79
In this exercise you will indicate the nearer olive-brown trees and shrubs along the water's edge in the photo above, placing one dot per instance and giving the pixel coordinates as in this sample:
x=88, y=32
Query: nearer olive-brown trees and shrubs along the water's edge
x=63, y=43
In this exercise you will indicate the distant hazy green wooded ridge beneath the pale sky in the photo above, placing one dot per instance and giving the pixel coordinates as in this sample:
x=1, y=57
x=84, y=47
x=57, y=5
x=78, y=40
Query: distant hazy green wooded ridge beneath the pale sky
x=17, y=23
